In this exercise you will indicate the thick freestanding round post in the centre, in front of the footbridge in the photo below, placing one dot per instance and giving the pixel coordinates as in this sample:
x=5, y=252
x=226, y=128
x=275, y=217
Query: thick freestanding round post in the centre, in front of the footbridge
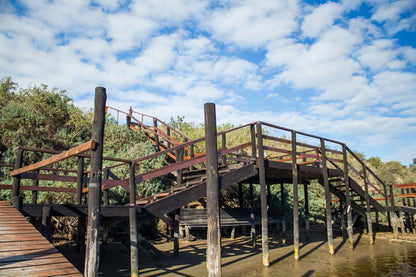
x=212, y=189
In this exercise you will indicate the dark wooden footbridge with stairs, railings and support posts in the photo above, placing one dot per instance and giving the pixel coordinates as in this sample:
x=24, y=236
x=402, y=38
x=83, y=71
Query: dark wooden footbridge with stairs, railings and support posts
x=196, y=169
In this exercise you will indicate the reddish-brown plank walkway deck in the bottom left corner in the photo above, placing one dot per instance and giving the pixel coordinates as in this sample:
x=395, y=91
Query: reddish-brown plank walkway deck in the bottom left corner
x=25, y=252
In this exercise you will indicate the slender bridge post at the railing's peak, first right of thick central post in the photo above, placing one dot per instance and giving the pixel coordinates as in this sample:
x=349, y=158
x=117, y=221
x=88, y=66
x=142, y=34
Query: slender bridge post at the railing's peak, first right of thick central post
x=263, y=197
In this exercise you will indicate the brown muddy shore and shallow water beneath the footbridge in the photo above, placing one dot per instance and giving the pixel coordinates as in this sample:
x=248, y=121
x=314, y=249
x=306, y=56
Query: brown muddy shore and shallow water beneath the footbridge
x=240, y=259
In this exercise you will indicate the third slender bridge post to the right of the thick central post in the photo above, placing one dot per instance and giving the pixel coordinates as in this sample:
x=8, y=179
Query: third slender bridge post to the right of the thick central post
x=327, y=199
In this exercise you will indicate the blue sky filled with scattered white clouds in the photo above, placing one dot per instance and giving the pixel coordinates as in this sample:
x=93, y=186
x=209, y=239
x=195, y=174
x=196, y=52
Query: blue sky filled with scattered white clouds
x=344, y=69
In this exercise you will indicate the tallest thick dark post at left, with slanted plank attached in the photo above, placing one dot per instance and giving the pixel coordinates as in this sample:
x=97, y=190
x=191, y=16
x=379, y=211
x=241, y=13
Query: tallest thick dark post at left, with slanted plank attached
x=94, y=187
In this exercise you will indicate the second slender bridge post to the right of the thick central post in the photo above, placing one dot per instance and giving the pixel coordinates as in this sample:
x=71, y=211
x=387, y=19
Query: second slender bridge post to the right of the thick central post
x=295, y=197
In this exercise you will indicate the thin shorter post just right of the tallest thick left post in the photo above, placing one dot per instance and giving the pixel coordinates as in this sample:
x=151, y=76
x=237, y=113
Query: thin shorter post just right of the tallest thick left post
x=134, y=253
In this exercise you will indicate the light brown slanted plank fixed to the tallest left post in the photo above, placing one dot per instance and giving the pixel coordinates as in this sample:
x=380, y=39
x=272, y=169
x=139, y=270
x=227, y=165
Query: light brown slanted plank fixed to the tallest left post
x=59, y=157
